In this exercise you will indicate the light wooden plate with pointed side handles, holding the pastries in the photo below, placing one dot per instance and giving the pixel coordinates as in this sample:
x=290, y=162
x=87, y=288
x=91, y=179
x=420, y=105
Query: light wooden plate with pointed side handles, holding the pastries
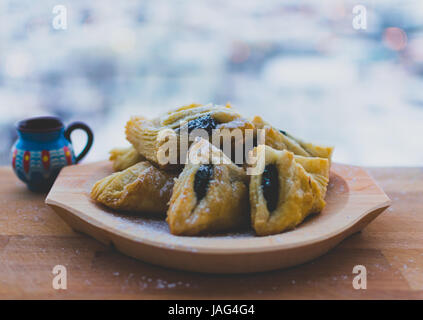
x=353, y=201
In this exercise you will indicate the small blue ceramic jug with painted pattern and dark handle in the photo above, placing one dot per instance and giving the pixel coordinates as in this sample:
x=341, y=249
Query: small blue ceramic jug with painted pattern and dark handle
x=43, y=148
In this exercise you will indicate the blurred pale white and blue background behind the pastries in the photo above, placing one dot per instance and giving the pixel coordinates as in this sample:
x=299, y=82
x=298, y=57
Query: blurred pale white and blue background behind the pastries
x=299, y=64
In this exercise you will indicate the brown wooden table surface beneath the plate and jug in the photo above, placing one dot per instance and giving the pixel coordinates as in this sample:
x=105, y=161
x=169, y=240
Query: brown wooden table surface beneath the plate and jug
x=33, y=239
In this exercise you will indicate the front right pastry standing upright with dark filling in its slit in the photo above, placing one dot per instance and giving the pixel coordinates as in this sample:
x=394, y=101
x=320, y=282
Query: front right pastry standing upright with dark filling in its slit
x=286, y=189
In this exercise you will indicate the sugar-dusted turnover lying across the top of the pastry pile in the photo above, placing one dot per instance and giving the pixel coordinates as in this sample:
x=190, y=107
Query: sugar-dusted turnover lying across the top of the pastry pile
x=147, y=136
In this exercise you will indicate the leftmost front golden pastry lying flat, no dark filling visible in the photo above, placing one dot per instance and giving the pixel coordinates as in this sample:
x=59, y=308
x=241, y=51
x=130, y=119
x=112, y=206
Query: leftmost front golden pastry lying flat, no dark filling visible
x=139, y=188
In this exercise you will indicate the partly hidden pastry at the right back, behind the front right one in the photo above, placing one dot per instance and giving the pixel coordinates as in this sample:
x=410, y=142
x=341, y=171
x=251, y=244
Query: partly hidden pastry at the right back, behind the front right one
x=281, y=140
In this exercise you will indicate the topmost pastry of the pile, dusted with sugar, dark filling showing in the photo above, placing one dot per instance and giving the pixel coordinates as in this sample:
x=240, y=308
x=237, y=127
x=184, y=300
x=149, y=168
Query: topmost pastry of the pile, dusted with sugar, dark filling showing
x=165, y=140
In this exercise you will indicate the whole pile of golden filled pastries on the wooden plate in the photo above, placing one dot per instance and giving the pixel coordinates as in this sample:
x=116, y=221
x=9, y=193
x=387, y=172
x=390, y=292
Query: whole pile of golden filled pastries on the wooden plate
x=281, y=180
